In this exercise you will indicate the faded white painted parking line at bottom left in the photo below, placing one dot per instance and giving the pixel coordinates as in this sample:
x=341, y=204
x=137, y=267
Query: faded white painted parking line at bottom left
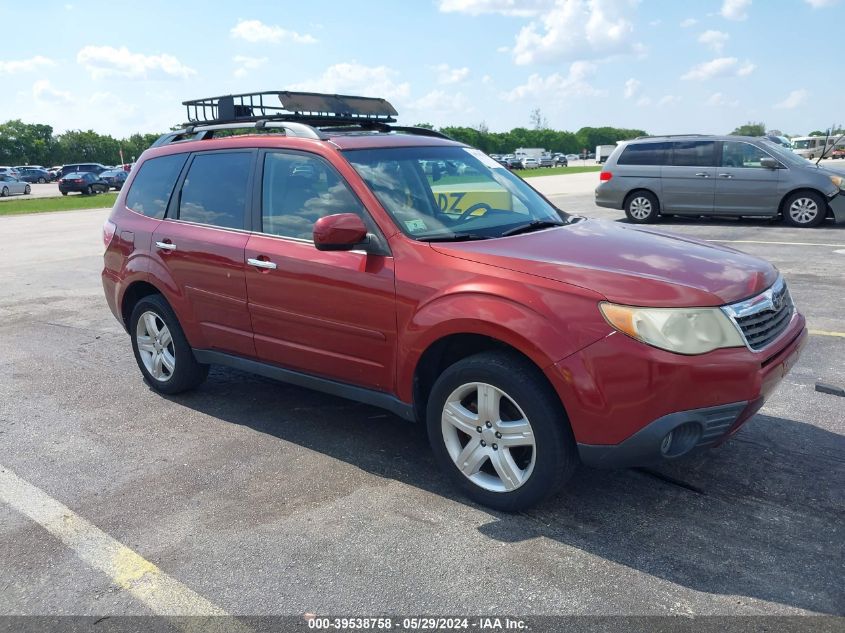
x=127, y=569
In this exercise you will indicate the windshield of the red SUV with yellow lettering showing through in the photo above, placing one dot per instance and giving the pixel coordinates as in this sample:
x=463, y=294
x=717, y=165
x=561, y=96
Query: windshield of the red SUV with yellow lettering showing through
x=451, y=193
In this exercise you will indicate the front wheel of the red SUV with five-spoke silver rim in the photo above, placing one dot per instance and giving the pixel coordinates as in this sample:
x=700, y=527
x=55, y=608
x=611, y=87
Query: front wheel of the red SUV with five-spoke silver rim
x=507, y=478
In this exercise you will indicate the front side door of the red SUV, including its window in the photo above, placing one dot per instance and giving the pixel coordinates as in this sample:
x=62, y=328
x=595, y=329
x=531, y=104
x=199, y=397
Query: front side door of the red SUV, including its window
x=332, y=314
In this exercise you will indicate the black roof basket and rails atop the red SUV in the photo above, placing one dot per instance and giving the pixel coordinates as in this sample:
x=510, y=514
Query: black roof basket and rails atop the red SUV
x=300, y=114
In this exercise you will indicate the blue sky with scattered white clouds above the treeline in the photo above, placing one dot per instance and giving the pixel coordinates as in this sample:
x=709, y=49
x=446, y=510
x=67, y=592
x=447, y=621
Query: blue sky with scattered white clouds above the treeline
x=659, y=65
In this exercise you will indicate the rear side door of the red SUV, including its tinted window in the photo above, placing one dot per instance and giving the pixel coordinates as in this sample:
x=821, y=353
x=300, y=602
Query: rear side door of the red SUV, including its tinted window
x=200, y=244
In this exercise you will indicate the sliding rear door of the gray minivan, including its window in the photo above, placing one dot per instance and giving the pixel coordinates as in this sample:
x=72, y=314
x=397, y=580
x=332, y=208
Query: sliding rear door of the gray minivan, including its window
x=689, y=180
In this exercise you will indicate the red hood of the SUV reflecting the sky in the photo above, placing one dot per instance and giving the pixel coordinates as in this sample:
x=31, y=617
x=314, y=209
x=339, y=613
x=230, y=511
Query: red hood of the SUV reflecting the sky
x=626, y=264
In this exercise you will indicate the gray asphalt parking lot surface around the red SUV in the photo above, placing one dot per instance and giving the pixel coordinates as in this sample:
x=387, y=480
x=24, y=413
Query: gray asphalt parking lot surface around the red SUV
x=263, y=498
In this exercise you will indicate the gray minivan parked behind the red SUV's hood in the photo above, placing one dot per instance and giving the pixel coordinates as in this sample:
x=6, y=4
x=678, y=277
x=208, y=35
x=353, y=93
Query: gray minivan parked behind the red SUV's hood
x=718, y=175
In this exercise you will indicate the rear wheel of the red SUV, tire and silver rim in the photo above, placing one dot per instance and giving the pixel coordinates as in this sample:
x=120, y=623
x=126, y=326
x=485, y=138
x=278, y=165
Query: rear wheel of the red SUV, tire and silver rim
x=161, y=349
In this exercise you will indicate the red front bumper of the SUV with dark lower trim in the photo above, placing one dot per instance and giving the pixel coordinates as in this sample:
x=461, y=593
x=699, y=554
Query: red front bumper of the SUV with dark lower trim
x=623, y=397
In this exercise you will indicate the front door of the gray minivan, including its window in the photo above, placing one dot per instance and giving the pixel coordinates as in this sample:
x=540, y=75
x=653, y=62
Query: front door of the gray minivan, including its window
x=743, y=185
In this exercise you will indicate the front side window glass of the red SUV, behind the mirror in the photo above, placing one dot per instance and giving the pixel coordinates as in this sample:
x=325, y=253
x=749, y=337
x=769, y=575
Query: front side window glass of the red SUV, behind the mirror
x=298, y=190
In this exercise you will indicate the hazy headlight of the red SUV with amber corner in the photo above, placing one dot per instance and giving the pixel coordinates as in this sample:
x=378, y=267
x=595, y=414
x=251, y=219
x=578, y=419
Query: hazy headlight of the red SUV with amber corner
x=680, y=330
